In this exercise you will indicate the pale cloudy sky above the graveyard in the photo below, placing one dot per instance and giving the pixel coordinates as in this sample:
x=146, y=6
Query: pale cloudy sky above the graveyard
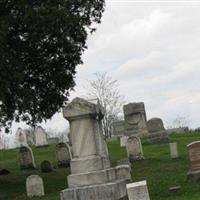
x=152, y=48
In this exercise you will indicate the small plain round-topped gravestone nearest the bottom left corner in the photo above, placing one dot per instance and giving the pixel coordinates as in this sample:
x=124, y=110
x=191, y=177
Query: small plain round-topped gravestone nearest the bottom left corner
x=34, y=186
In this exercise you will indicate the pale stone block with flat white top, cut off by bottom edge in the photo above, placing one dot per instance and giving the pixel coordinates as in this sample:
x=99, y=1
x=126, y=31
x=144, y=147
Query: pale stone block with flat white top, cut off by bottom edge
x=138, y=191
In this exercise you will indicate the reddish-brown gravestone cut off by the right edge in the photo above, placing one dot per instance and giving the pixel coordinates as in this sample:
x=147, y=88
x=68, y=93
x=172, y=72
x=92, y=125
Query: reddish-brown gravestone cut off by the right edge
x=194, y=158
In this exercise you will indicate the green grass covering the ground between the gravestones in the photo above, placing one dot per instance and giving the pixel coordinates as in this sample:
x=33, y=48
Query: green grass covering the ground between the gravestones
x=160, y=171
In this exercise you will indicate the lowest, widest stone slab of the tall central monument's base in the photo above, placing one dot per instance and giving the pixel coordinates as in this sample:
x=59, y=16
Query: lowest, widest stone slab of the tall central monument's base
x=106, y=191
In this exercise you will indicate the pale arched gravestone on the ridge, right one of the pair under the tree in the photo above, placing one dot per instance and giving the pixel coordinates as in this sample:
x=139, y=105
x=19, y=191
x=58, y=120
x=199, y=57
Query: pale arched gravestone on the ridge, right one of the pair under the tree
x=40, y=137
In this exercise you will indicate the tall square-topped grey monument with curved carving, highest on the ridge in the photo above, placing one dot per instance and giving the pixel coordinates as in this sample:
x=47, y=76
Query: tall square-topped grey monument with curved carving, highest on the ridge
x=135, y=119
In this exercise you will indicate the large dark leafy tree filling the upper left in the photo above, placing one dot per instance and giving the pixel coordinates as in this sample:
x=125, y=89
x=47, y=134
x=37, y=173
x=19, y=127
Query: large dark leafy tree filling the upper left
x=41, y=43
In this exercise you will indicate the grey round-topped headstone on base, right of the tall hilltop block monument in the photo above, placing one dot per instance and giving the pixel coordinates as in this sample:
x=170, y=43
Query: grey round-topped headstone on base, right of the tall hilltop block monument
x=157, y=132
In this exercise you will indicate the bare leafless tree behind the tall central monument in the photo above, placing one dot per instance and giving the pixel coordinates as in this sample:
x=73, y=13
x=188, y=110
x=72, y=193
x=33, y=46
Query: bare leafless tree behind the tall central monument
x=104, y=88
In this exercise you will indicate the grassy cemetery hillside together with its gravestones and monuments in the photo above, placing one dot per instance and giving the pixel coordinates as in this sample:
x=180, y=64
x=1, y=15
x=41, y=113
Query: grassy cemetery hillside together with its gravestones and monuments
x=94, y=168
